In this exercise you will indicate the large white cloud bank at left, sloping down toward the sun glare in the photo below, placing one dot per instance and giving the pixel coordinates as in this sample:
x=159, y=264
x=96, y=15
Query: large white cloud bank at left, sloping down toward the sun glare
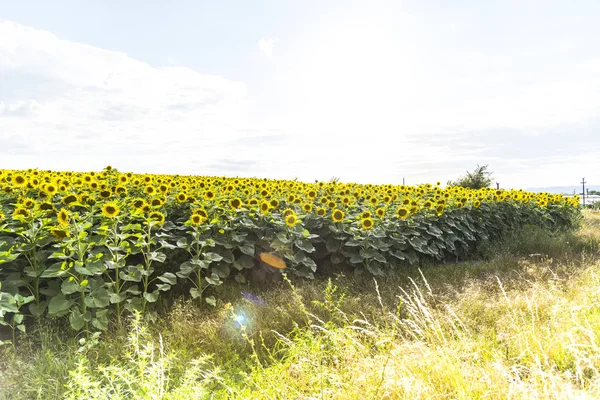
x=83, y=107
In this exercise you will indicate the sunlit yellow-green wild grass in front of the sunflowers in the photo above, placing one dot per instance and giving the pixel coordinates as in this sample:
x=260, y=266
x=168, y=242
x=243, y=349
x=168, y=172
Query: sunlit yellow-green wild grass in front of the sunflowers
x=521, y=322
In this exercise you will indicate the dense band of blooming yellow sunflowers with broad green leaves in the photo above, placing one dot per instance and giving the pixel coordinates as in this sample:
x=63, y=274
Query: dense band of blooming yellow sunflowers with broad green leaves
x=89, y=247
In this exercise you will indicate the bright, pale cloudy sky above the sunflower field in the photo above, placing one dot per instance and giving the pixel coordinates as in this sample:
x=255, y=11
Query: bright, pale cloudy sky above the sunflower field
x=365, y=91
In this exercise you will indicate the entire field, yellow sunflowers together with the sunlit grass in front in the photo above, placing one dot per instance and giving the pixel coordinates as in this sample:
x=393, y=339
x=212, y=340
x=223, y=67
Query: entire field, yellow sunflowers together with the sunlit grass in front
x=114, y=290
